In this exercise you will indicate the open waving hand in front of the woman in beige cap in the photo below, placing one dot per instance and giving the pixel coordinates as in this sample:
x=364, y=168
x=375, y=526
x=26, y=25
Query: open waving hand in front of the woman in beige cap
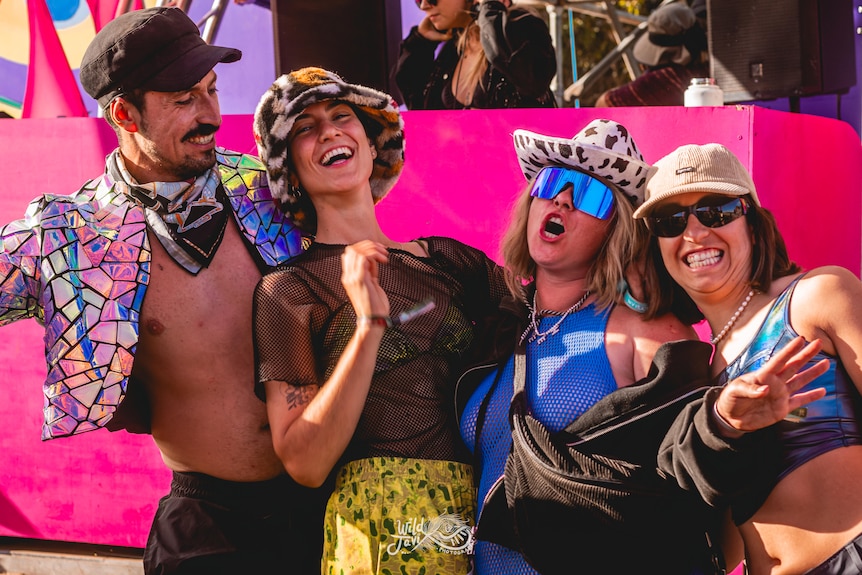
x=761, y=398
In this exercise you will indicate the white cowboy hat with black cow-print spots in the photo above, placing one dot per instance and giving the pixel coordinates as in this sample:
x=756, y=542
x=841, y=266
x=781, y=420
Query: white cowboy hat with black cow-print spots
x=603, y=148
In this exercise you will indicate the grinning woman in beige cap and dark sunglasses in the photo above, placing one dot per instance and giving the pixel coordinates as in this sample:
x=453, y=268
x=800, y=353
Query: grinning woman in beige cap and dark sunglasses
x=715, y=246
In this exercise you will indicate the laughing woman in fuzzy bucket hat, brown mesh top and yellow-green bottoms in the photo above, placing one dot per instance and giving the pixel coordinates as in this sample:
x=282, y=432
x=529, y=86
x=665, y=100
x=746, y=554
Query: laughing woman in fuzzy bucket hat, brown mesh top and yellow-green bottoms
x=360, y=340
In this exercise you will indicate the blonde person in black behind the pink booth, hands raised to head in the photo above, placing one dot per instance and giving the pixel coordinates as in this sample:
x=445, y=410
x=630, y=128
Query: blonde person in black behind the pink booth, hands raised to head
x=493, y=55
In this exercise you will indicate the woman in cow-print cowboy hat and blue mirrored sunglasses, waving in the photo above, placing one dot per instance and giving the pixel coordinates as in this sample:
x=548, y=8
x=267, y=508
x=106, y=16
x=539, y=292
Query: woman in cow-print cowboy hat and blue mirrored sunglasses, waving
x=569, y=248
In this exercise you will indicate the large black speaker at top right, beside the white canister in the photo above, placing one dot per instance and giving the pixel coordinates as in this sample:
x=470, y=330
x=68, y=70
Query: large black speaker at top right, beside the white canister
x=766, y=49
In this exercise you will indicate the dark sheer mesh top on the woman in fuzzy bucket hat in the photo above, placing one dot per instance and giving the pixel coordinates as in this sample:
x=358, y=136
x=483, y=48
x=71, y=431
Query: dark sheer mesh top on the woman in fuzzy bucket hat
x=304, y=320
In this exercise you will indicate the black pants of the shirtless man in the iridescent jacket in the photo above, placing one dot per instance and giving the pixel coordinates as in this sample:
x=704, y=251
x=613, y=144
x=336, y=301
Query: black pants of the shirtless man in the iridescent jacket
x=211, y=526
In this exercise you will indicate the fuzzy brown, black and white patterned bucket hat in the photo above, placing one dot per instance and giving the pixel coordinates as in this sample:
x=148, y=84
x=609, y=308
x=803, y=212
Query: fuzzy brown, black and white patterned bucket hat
x=292, y=93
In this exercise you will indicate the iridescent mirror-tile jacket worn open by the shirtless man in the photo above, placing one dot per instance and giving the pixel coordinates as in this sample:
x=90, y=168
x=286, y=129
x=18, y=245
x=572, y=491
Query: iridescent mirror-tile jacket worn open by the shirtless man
x=80, y=265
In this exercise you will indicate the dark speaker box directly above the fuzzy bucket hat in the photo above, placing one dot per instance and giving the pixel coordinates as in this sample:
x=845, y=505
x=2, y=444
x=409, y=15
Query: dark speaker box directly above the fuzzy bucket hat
x=358, y=40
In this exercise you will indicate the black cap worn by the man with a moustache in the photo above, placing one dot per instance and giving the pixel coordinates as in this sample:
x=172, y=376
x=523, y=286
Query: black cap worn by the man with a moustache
x=155, y=49
